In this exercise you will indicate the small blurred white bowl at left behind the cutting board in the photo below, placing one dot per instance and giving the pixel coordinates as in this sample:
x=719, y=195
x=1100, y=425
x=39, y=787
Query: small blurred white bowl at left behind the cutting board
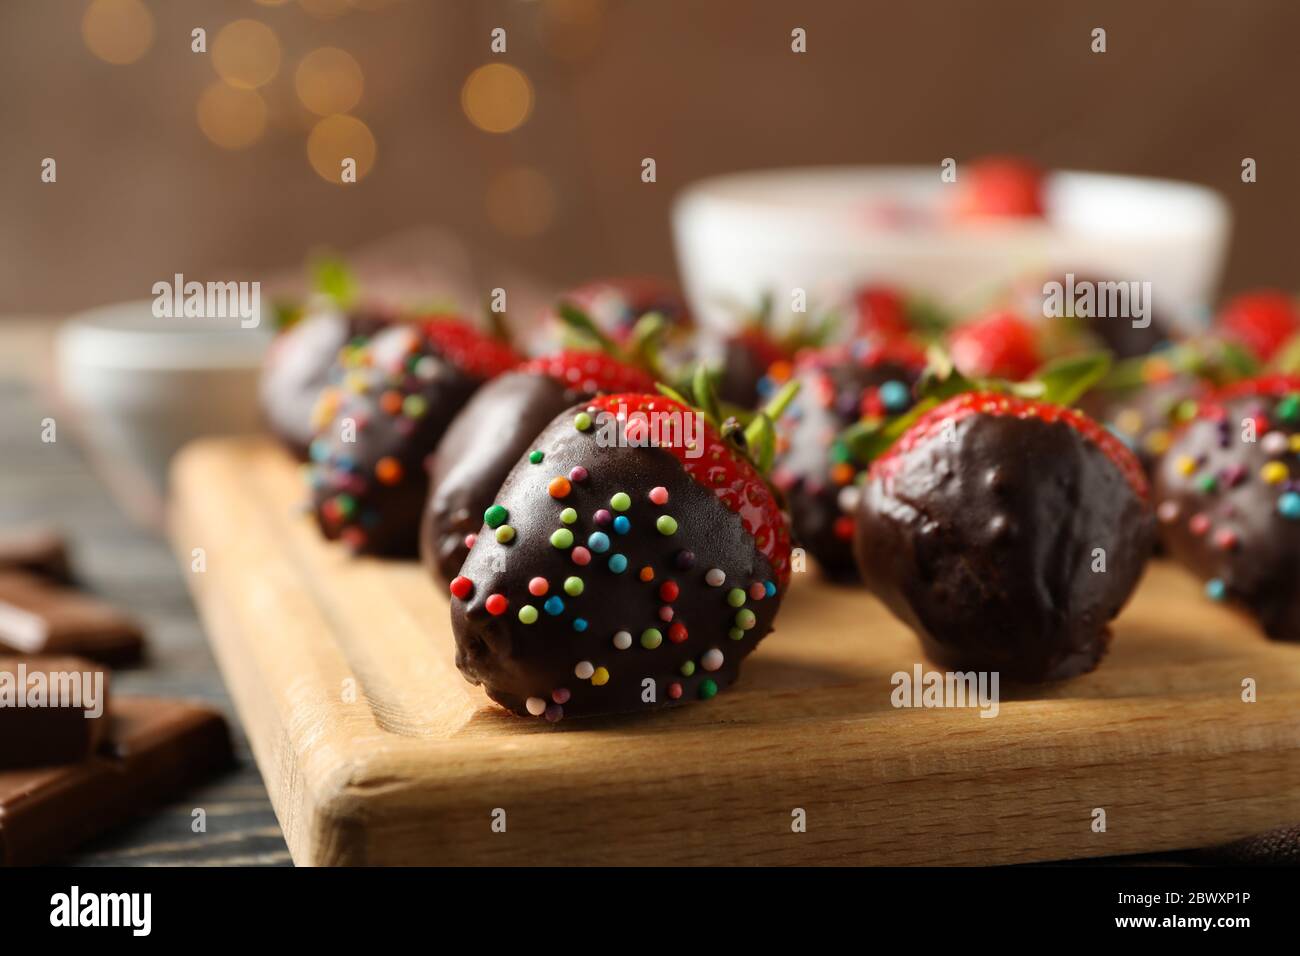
x=142, y=387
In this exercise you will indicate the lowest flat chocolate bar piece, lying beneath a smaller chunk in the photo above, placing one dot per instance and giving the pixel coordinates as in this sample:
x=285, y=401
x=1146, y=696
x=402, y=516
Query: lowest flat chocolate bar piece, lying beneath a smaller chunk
x=157, y=750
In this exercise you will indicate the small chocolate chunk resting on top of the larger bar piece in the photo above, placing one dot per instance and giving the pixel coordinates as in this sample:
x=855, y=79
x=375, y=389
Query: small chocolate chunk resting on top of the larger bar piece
x=53, y=711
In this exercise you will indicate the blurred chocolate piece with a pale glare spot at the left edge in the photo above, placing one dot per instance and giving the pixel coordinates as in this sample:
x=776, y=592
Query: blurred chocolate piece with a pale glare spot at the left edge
x=42, y=618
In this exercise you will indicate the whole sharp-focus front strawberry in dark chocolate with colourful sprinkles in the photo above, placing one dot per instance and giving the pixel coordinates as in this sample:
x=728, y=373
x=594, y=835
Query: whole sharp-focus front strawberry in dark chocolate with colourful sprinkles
x=631, y=560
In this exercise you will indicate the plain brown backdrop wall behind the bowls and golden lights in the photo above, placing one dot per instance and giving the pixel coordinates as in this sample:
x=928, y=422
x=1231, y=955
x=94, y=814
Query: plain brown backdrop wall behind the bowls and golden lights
x=1186, y=90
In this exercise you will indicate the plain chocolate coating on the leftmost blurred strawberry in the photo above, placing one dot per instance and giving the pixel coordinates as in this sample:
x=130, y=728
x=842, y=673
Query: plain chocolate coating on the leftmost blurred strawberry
x=302, y=362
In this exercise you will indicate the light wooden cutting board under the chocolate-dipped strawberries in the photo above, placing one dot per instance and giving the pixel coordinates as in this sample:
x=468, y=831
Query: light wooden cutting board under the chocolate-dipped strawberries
x=376, y=751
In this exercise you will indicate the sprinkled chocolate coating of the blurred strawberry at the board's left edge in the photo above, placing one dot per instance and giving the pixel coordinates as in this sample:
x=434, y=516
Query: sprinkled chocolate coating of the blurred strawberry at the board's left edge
x=352, y=501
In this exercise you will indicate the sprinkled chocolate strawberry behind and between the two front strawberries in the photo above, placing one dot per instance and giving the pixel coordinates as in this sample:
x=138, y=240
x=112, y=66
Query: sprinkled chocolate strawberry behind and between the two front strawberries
x=839, y=387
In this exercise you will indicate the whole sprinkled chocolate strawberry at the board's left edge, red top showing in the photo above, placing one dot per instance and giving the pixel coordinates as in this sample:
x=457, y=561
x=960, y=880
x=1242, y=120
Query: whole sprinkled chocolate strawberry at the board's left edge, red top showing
x=378, y=426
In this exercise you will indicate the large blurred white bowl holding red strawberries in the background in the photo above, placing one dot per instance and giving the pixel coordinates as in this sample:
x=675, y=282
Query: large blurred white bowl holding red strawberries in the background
x=826, y=231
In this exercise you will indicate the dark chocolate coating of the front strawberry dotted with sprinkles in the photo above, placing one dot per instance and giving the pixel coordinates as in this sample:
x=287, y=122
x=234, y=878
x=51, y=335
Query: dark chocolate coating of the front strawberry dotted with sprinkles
x=518, y=661
